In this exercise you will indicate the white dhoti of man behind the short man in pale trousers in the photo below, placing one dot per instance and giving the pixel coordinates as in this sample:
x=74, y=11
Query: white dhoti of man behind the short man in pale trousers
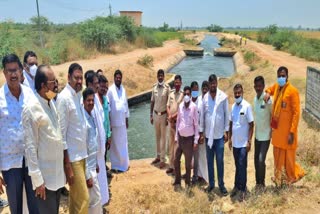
x=103, y=181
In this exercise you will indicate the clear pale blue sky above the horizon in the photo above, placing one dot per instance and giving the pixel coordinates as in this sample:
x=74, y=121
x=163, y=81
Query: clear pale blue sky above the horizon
x=243, y=13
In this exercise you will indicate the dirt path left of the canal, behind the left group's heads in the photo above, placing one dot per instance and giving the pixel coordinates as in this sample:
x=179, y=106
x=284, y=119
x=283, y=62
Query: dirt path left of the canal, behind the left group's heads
x=136, y=78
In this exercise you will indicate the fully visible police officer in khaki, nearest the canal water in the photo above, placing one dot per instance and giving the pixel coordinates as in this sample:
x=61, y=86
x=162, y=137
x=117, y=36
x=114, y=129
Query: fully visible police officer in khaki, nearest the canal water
x=158, y=116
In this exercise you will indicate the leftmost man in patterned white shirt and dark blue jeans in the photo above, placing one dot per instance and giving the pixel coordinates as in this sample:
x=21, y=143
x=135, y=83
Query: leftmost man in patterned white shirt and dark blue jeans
x=13, y=97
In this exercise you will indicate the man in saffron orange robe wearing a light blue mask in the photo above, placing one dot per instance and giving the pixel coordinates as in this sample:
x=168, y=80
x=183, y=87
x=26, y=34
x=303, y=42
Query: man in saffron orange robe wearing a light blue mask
x=284, y=124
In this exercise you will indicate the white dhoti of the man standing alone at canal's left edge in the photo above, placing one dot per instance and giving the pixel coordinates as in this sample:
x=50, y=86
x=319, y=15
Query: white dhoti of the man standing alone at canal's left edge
x=119, y=156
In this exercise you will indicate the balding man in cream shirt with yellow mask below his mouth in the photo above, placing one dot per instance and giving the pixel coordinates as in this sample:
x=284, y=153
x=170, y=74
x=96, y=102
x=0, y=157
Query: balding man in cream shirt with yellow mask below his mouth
x=43, y=143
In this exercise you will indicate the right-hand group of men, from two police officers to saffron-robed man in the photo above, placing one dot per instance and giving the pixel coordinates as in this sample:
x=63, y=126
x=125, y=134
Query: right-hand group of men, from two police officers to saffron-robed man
x=200, y=125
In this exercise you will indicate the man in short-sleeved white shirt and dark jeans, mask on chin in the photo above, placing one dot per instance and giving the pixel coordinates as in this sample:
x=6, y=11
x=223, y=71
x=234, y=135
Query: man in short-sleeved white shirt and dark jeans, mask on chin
x=240, y=134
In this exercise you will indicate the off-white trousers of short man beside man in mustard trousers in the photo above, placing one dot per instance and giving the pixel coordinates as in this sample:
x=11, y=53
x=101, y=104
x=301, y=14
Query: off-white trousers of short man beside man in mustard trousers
x=95, y=206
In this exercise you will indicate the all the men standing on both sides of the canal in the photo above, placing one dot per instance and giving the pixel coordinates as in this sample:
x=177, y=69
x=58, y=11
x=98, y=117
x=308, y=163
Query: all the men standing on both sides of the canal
x=48, y=139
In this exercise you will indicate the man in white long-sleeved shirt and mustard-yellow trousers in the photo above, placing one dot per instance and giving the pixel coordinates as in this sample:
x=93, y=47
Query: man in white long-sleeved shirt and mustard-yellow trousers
x=74, y=134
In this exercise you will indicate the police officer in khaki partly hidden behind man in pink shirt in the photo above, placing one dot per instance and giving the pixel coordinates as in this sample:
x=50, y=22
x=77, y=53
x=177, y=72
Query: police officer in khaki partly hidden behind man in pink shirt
x=175, y=98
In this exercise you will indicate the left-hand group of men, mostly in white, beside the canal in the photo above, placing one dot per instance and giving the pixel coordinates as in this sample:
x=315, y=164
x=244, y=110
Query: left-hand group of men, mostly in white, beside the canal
x=50, y=139
